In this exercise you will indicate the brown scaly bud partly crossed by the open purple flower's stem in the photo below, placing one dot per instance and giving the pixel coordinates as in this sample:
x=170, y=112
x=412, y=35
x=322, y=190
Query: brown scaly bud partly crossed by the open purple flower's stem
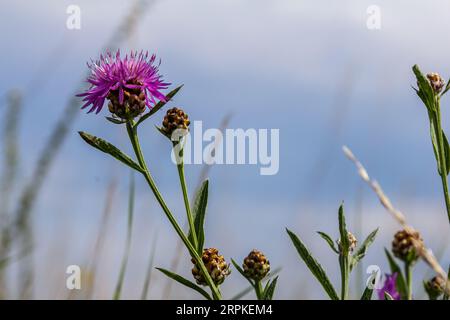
x=216, y=265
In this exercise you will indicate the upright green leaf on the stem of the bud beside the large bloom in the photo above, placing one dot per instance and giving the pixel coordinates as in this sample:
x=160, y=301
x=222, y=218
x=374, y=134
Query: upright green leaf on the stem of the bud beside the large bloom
x=199, y=213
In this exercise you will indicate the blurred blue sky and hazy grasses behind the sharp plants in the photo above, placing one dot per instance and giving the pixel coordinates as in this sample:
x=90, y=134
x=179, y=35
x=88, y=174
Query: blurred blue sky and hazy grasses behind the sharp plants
x=312, y=69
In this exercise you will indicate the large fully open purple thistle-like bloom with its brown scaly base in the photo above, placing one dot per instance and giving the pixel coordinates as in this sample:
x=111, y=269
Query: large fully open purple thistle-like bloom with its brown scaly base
x=129, y=83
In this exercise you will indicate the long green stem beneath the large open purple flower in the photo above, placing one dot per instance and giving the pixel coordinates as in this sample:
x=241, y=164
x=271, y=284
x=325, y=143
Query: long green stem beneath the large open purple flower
x=131, y=129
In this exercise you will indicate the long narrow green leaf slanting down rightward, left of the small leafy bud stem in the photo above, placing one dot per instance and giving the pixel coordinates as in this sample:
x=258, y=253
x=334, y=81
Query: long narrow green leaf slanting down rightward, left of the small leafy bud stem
x=313, y=266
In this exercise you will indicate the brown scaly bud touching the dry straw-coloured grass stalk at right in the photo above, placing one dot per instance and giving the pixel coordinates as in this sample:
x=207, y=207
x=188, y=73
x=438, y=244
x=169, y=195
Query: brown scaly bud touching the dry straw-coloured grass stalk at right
x=404, y=245
